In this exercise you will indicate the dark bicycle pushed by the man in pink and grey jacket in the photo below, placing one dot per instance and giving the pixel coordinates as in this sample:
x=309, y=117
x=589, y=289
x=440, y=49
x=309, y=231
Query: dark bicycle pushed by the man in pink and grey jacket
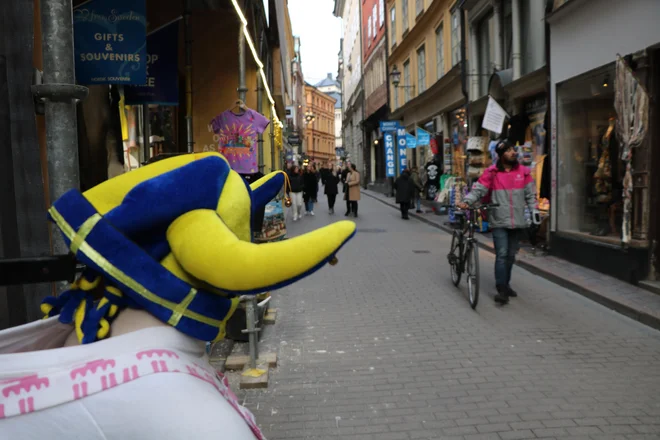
x=463, y=255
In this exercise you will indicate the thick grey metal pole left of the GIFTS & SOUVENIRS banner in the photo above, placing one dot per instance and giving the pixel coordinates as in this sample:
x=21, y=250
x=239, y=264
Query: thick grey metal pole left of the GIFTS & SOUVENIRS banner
x=60, y=95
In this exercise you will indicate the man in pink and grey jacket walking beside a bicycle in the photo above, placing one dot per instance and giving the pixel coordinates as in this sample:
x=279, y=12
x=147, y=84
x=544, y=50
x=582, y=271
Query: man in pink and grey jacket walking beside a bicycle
x=511, y=186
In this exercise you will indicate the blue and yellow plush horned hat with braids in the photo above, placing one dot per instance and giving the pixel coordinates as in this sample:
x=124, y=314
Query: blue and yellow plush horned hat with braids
x=173, y=238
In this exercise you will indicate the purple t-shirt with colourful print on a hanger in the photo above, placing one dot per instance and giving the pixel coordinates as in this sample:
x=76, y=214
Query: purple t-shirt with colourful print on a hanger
x=238, y=138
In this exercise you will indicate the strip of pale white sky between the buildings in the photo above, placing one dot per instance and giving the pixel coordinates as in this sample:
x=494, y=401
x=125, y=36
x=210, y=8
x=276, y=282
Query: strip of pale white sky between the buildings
x=319, y=33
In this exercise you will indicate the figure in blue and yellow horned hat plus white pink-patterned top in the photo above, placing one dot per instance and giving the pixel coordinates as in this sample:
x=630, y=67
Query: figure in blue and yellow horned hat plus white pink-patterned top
x=170, y=242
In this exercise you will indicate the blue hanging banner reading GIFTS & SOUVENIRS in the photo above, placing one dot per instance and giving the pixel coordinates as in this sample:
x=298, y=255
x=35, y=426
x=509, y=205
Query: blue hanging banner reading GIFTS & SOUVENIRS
x=110, y=42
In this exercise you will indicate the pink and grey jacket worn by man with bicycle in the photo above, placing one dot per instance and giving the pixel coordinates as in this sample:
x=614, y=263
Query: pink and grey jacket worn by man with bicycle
x=512, y=190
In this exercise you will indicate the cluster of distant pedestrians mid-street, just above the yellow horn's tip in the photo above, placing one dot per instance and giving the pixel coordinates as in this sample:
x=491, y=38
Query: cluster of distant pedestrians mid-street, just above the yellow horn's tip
x=304, y=188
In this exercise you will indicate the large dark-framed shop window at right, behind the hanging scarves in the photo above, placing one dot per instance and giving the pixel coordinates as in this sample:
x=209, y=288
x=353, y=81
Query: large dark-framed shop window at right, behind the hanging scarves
x=590, y=173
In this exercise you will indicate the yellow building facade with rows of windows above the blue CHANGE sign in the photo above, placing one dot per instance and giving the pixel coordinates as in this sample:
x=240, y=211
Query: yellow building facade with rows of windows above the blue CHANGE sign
x=424, y=46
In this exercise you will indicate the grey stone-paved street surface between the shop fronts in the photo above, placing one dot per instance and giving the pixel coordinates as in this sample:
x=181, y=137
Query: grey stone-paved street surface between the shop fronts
x=383, y=346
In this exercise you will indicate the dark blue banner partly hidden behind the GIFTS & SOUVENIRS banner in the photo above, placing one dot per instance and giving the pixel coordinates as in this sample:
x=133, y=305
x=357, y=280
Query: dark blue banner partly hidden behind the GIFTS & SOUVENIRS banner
x=162, y=85
